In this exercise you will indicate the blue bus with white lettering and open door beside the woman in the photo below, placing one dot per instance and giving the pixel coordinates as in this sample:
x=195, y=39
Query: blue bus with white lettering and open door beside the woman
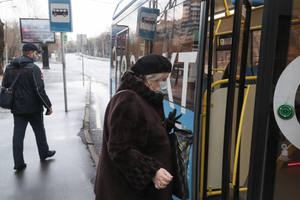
x=234, y=80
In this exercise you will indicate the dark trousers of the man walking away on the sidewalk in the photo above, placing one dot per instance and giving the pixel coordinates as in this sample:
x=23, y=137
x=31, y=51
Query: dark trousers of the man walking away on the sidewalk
x=36, y=121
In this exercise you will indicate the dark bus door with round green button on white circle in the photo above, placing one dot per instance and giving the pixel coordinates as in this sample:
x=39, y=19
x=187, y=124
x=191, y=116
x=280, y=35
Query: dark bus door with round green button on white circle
x=275, y=155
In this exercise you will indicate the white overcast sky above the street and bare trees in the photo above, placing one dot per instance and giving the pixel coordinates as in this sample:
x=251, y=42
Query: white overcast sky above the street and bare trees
x=91, y=17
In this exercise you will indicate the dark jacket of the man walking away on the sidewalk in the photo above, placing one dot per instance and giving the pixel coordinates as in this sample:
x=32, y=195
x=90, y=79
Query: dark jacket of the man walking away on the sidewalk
x=29, y=93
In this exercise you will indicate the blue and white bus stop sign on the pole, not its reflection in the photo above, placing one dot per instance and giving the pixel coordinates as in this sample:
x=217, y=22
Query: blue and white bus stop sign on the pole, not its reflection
x=60, y=15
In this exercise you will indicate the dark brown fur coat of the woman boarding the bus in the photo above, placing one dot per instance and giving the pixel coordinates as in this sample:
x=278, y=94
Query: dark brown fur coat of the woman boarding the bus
x=135, y=145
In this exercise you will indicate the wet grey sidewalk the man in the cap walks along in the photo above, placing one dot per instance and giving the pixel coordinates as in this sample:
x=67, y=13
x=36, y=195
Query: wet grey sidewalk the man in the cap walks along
x=69, y=173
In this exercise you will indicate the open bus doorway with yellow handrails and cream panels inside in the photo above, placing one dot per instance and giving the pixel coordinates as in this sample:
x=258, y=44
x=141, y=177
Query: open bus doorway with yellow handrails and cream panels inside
x=221, y=155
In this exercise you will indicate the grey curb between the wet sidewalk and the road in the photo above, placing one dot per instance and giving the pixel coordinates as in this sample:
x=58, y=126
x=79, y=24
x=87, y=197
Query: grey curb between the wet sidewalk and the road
x=86, y=126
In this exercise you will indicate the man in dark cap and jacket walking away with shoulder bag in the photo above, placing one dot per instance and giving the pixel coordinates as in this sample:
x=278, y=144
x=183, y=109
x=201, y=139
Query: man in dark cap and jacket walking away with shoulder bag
x=29, y=99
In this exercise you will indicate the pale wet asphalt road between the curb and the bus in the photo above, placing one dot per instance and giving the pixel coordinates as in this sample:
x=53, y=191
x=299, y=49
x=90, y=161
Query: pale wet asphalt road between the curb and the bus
x=96, y=71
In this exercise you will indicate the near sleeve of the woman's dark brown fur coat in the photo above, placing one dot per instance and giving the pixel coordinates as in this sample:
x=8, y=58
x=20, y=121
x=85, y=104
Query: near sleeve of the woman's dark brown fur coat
x=128, y=133
